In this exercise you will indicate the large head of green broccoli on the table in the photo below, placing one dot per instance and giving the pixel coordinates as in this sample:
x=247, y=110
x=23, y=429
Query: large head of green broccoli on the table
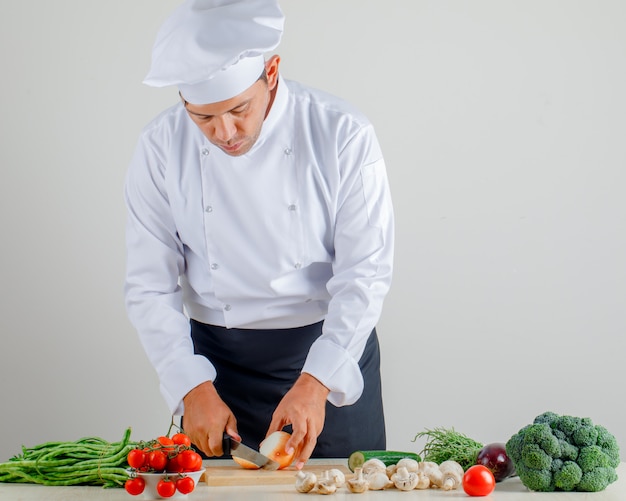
x=564, y=453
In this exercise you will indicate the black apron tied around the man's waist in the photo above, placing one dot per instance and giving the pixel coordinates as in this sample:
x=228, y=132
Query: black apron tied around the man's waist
x=255, y=368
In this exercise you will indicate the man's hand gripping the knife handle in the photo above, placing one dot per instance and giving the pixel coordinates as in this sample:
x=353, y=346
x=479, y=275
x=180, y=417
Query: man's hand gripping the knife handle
x=206, y=419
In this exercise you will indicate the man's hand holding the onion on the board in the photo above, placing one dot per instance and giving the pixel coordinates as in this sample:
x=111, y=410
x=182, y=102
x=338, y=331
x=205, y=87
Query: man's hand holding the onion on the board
x=304, y=408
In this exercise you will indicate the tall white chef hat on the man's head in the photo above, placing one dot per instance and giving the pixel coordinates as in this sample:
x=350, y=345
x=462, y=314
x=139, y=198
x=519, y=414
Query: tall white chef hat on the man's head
x=214, y=50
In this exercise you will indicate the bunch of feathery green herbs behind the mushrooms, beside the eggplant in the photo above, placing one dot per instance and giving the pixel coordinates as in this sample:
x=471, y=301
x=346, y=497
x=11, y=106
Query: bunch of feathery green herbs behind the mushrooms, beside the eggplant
x=443, y=444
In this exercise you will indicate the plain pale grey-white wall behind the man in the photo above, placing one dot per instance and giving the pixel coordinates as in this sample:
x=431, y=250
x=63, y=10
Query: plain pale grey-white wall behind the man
x=503, y=128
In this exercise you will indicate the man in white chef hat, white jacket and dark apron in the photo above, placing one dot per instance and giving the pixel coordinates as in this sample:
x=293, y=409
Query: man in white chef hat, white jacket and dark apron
x=259, y=242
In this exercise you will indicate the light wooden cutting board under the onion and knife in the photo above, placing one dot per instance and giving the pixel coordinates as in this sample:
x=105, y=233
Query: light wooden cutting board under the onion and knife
x=226, y=472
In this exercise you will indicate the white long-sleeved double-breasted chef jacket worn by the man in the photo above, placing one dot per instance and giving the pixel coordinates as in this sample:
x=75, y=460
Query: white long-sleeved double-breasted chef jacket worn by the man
x=297, y=230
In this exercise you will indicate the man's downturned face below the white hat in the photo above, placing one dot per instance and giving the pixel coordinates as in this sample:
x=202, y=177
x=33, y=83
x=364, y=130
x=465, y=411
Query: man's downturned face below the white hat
x=233, y=125
